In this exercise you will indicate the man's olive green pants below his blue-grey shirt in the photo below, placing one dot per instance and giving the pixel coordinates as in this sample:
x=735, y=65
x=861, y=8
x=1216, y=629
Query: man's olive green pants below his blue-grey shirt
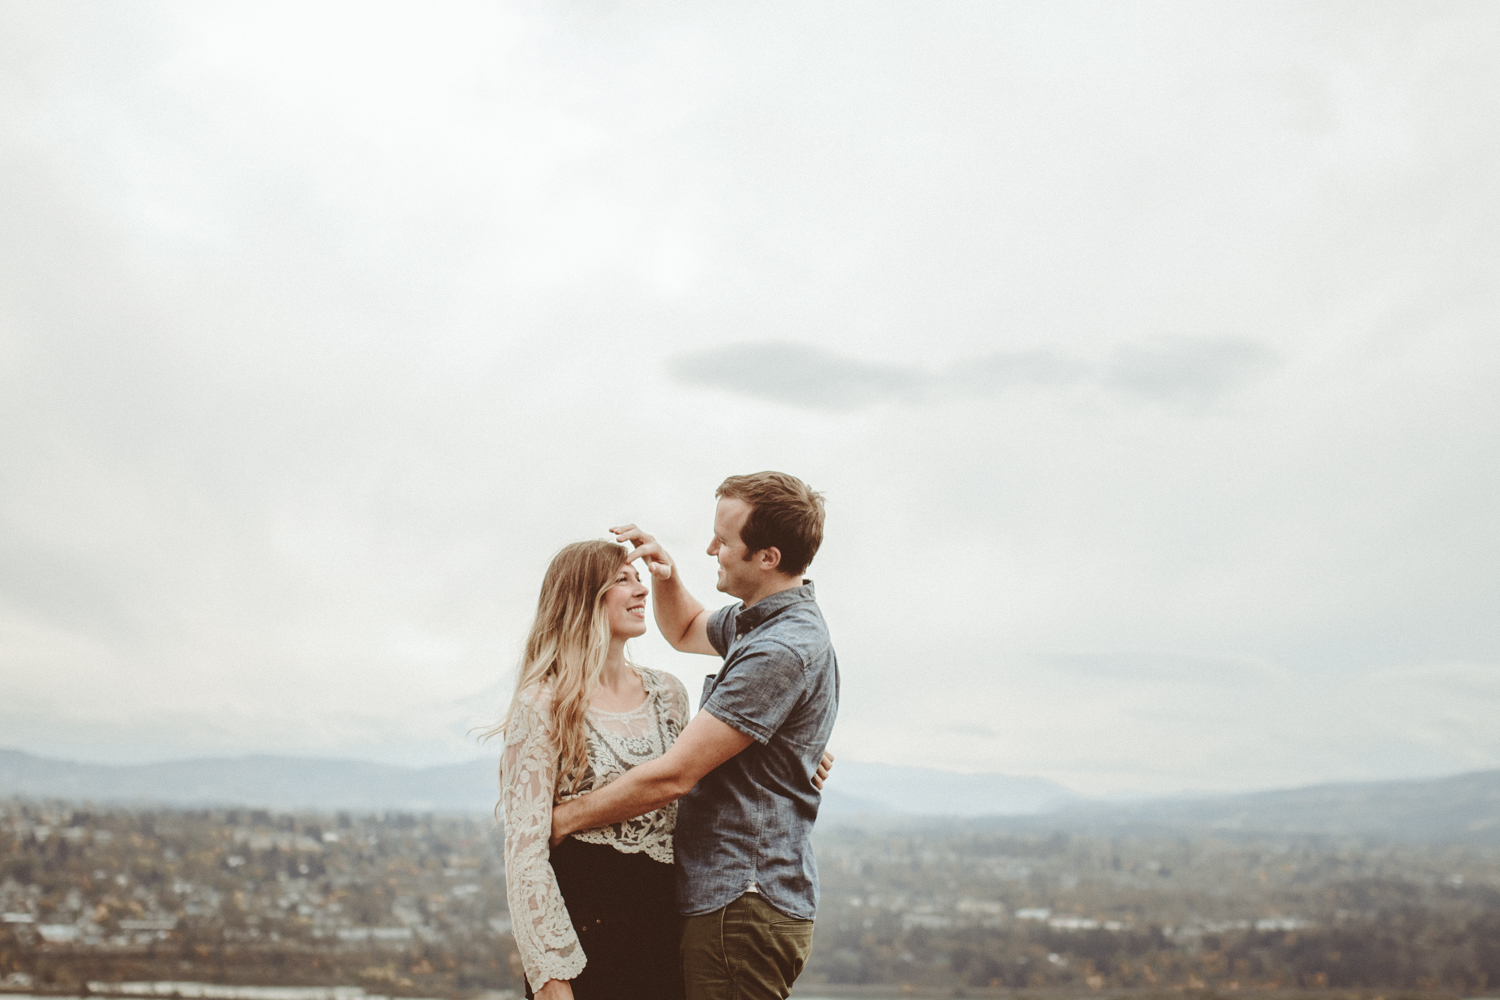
x=746, y=951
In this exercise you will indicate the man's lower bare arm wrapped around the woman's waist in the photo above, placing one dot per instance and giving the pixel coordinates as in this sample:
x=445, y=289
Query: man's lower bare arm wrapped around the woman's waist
x=706, y=744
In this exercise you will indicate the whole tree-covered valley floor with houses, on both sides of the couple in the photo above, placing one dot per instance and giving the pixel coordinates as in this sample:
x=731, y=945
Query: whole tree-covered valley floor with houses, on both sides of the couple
x=416, y=906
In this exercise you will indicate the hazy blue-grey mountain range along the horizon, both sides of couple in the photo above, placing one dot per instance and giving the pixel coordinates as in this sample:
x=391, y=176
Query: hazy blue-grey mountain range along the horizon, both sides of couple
x=1465, y=809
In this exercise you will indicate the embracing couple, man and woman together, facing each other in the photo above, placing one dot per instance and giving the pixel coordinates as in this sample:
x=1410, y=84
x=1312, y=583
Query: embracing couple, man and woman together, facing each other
x=649, y=857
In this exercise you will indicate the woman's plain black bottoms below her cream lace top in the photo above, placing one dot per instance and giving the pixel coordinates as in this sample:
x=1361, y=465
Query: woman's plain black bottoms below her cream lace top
x=625, y=912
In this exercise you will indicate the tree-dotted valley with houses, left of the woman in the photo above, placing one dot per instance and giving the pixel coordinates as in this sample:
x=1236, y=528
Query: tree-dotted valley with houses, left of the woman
x=254, y=899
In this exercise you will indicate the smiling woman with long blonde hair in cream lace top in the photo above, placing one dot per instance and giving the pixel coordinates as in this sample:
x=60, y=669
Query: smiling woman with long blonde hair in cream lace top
x=598, y=915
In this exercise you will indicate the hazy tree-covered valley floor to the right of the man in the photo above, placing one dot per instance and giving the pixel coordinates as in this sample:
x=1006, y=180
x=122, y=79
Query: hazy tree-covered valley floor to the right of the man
x=970, y=908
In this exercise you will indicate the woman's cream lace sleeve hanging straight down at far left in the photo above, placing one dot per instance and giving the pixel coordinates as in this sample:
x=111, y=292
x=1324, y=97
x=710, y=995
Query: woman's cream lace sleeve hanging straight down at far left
x=550, y=950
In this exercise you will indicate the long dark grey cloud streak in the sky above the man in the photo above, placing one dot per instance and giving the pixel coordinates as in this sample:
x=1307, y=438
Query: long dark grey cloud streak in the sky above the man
x=1193, y=371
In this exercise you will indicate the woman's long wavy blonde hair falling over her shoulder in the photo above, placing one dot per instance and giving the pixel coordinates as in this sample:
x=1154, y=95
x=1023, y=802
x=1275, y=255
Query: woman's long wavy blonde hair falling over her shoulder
x=568, y=645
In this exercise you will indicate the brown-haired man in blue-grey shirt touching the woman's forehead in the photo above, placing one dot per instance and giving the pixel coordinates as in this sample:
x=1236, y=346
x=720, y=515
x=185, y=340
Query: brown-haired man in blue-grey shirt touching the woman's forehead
x=745, y=767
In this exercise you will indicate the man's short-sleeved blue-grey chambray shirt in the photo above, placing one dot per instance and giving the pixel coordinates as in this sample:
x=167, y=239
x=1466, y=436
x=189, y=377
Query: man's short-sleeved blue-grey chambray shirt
x=751, y=821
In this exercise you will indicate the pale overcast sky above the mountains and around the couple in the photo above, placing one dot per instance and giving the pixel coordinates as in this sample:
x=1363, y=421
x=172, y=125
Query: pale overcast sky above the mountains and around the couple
x=1147, y=356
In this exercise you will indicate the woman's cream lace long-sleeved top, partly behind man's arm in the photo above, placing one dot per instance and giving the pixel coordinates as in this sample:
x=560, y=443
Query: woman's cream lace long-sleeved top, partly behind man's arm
x=617, y=741
